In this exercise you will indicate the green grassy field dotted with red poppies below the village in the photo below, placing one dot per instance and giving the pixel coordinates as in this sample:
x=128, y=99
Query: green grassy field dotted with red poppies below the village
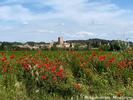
x=57, y=75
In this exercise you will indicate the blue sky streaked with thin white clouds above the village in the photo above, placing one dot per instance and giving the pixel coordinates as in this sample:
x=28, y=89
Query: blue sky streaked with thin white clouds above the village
x=45, y=20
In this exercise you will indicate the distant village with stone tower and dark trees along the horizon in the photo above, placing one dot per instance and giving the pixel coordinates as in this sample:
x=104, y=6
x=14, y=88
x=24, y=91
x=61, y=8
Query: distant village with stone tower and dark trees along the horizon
x=61, y=43
